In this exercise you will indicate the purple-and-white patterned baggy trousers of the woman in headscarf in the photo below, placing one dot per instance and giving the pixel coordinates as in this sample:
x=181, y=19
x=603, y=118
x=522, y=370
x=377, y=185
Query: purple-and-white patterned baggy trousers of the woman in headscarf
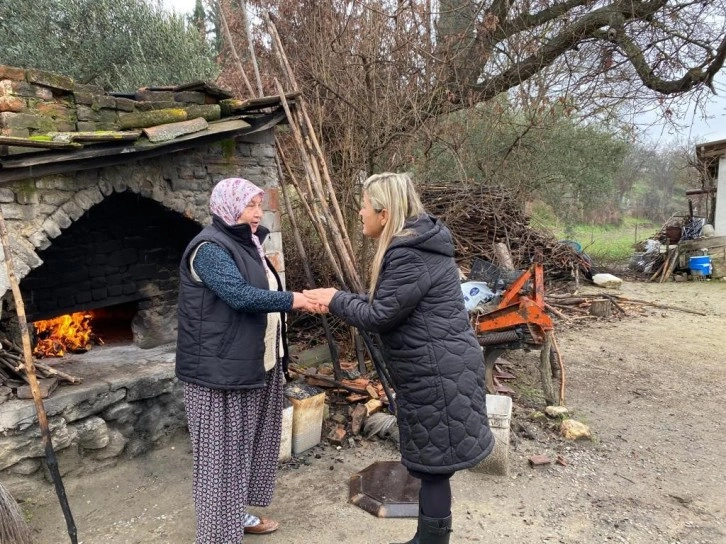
x=236, y=447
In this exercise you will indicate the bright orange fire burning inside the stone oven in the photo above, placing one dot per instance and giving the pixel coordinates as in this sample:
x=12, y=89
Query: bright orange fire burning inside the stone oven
x=56, y=336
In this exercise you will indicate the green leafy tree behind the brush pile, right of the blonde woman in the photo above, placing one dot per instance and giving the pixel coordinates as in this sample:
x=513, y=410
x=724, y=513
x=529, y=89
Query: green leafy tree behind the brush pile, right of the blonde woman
x=571, y=166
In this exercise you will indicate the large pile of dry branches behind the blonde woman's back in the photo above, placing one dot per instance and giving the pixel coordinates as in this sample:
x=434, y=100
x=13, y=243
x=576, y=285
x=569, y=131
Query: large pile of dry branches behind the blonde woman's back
x=480, y=217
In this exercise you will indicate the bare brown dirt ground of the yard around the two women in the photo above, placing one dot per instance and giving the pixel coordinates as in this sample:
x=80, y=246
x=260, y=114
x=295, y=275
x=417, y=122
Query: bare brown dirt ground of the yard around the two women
x=650, y=386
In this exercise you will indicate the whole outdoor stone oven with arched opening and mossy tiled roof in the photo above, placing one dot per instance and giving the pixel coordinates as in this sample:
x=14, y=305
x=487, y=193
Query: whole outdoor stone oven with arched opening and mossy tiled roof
x=98, y=216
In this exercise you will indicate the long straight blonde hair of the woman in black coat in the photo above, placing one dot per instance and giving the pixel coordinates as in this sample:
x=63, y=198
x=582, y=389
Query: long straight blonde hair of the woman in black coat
x=396, y=194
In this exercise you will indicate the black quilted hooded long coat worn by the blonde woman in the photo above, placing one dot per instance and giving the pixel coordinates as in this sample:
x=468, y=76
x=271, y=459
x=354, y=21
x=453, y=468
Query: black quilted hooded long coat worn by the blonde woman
x=430, y=349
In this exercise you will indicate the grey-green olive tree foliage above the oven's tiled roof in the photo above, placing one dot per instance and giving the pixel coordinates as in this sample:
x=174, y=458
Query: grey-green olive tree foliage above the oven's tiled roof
x=121, y=46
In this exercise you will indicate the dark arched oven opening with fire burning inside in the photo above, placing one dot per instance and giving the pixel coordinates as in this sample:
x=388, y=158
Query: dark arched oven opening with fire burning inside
x=111, y=277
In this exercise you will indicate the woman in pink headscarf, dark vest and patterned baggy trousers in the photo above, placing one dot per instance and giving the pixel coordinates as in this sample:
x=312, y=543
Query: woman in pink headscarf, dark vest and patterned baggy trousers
x=230, y=355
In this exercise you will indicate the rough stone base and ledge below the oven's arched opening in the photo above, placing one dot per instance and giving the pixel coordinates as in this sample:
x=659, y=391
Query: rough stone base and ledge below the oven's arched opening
x=130, y=410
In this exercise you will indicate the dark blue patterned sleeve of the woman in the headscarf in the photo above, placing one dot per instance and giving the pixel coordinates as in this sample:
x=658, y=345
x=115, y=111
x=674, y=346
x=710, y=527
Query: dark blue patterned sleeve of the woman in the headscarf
x=217, y=269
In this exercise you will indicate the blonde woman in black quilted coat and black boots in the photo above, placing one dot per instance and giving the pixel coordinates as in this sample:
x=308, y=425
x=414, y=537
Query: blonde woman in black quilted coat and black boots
x=435, y=363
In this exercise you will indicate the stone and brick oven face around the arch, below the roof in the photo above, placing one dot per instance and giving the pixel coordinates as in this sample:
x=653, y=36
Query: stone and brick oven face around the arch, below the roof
x=37, y=211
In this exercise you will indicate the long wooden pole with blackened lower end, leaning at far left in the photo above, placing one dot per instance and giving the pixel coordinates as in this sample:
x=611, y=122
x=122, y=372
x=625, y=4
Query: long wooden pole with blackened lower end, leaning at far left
x=34, y=387
